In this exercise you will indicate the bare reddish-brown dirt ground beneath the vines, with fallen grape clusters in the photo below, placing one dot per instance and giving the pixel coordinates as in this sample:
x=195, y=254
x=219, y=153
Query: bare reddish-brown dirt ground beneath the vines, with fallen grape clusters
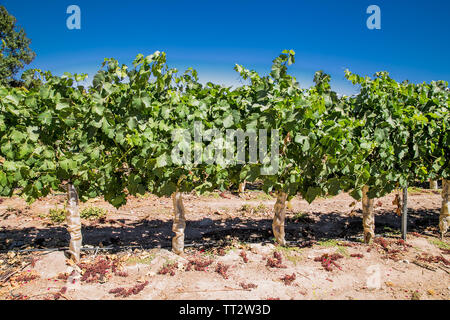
x=230, y=253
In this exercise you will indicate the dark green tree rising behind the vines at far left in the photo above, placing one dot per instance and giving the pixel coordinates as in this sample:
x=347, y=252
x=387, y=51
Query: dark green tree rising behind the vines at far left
x=14, y=50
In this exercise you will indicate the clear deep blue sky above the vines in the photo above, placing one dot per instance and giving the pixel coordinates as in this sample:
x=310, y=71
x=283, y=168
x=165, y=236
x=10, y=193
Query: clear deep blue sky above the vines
x=212, y=36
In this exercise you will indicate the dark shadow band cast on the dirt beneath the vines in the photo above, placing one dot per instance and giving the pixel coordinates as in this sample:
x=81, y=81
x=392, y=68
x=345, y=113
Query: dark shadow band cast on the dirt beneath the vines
x=209, y=232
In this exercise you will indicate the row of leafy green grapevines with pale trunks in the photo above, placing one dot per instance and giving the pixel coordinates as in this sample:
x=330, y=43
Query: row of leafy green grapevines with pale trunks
x=115, y=138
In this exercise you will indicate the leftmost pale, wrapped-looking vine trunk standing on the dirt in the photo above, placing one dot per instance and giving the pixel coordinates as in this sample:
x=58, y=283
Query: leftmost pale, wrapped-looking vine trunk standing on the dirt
x=73, y=223
